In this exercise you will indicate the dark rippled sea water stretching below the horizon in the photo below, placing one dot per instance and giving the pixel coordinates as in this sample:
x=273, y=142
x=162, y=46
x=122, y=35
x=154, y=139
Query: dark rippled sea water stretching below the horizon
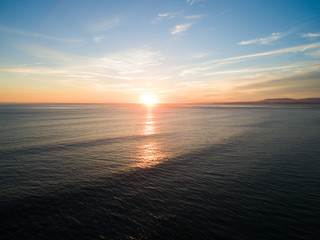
x=168, y=172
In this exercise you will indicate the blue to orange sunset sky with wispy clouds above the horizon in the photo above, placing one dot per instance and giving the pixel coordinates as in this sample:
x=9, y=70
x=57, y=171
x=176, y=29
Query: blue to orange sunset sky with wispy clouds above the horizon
x=192, y=51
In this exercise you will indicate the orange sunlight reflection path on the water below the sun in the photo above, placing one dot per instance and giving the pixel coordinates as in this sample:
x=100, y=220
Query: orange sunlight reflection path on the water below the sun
x=149, y=153
